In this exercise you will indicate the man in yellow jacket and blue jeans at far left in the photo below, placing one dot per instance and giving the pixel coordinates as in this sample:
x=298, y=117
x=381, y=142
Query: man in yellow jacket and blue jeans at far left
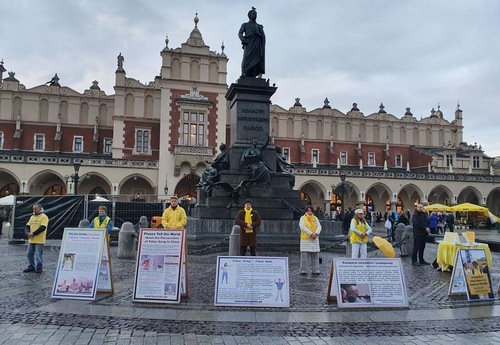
x=36, y=232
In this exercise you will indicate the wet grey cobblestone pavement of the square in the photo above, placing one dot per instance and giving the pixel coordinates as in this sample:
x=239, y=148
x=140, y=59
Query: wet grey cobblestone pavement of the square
x=28, y=315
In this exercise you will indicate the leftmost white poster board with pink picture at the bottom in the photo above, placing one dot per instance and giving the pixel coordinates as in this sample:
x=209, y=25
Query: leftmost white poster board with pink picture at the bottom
x=79, y=263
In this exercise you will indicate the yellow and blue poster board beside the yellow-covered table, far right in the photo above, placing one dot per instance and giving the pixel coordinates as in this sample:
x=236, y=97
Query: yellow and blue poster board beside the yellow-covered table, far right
x=477, y=274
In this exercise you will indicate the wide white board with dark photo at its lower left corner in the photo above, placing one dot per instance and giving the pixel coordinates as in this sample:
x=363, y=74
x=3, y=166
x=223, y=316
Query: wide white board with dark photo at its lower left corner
x=365, y=283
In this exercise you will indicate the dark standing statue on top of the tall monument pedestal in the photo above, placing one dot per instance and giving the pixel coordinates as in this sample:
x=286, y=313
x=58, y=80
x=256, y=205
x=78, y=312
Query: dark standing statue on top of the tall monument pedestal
x=253, y=41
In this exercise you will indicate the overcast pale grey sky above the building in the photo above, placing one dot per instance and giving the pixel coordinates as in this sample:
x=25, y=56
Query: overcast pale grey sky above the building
x=403, y=53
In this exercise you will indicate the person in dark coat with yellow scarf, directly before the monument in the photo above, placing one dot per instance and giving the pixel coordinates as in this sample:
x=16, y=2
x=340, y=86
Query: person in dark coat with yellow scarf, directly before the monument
x=248, y=219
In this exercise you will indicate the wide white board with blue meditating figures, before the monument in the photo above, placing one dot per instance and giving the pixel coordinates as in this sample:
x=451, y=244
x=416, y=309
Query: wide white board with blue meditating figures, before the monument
x=253, y=281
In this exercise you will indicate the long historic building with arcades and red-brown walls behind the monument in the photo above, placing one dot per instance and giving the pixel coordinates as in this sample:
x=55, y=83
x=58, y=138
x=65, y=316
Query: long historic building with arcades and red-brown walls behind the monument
x=150, y=140
